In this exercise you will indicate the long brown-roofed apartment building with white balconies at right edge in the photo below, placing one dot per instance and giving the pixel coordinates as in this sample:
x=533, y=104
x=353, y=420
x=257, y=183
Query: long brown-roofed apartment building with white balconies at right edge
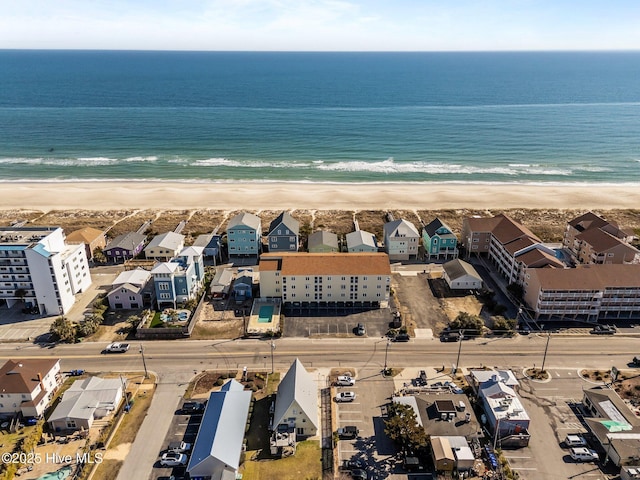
x=590, y=293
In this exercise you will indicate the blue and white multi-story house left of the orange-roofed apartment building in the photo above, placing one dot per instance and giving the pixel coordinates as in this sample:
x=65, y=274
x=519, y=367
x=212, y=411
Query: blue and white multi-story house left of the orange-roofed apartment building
x=180, y=279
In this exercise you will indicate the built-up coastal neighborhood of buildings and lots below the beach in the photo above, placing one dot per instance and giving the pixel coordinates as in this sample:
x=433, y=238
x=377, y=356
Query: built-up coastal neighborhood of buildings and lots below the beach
x=411, y=282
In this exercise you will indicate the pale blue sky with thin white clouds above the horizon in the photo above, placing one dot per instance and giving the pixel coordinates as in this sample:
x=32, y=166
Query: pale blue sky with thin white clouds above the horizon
x=327, y=25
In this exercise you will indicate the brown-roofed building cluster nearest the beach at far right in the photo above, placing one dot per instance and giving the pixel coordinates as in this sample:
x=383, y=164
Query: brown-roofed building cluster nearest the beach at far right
x=590, y=239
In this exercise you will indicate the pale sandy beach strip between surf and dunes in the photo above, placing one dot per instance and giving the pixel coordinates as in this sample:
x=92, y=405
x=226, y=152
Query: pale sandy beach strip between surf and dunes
x=46, y=196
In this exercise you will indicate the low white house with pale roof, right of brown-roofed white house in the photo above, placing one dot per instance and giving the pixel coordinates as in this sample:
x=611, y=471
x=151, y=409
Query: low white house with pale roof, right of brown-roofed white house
x=86, y=400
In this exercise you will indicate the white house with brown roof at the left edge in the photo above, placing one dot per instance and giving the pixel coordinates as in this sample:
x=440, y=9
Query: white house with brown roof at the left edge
x=28, y=385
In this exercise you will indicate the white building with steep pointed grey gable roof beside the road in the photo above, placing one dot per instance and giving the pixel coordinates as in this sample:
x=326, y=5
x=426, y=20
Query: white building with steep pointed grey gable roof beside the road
x=297, y=401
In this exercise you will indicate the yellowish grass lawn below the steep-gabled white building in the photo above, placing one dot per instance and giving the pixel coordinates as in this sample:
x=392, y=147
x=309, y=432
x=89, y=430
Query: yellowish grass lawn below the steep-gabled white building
x=306, y=463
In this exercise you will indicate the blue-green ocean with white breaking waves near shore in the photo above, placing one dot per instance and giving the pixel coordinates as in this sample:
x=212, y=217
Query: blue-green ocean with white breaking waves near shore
x=526, y=117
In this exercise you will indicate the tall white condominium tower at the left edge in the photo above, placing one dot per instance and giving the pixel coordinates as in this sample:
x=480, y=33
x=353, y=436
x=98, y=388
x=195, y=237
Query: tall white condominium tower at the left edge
x=37, y=266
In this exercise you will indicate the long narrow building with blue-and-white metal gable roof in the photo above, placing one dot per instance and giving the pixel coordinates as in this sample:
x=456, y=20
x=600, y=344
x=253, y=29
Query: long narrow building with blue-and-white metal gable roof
x=218, y=446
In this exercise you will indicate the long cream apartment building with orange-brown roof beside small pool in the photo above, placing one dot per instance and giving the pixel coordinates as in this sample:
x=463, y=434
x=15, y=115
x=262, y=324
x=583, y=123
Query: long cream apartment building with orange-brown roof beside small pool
x=316, y=279
